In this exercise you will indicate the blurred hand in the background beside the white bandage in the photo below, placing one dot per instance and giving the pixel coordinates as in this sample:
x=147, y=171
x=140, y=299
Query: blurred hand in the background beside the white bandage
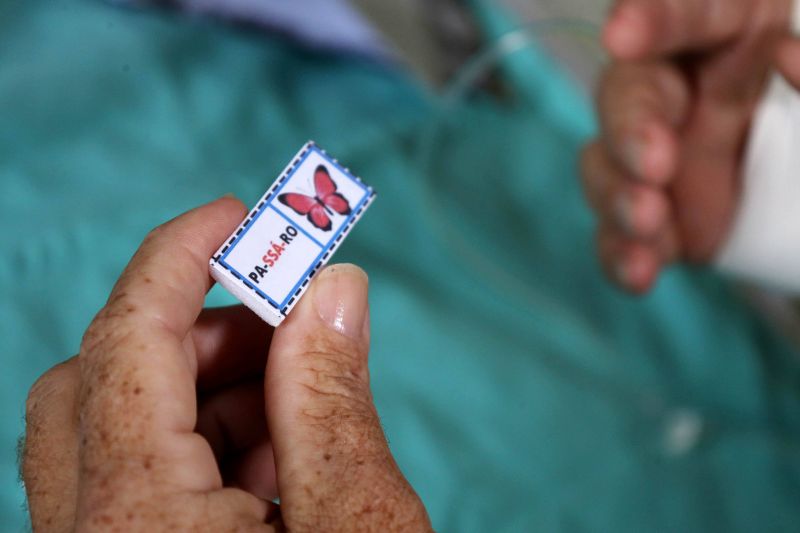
x=675, y=106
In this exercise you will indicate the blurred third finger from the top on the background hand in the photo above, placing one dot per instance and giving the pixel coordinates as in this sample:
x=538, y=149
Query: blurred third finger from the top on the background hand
x=637, y=210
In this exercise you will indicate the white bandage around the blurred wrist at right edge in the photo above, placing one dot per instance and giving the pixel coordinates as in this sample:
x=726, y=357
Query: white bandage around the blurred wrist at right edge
x=764, y=244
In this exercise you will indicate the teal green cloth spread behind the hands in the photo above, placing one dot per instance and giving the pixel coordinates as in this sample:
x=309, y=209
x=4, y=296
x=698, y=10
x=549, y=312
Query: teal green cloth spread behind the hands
x=518, y=390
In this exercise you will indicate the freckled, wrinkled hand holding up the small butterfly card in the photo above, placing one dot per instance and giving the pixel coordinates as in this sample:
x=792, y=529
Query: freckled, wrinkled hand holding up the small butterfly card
x=174, y=418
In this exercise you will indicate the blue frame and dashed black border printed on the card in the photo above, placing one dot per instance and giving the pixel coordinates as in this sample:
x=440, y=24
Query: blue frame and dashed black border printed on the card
x=355, y=212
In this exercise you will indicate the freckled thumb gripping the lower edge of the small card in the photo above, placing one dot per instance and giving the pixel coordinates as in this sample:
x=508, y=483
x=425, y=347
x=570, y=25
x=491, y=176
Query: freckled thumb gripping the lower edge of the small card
x=335, y=470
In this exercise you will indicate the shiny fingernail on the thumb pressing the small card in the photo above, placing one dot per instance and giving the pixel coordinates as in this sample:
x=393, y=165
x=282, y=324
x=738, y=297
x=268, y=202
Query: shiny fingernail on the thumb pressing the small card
x=341, y=296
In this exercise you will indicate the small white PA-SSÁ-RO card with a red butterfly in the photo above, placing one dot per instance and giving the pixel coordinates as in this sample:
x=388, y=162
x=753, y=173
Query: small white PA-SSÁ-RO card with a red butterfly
x=269, y=261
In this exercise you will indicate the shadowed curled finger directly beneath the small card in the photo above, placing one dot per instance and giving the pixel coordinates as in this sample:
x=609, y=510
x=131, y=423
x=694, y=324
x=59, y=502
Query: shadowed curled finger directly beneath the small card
x=231, y=344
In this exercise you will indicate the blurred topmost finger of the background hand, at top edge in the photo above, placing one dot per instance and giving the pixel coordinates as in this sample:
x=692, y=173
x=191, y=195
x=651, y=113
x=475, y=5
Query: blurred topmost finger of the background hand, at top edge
x=642, y=28
